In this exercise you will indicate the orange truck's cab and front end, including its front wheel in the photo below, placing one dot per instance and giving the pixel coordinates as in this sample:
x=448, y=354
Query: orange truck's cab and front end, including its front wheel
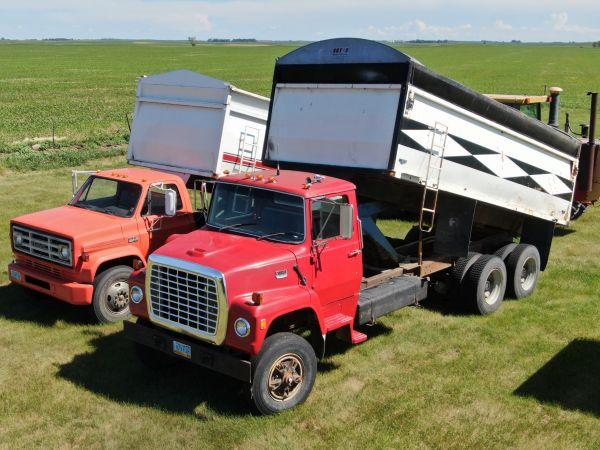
x=83, y=253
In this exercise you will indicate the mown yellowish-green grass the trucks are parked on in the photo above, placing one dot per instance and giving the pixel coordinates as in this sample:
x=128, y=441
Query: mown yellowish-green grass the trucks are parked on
x=525, y=377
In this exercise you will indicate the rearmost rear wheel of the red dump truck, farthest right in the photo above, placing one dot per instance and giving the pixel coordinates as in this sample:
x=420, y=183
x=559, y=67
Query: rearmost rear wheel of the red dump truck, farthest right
x=523, y=267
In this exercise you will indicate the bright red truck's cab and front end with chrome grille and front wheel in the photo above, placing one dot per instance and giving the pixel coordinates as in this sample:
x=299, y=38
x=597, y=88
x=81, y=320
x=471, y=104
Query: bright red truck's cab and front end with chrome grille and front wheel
x=280, y=250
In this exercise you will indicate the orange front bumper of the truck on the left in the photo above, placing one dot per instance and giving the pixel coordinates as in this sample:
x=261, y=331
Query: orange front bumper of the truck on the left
x=67, y=291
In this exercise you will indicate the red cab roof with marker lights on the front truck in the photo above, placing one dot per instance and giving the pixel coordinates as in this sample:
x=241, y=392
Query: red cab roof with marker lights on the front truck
x=291, y=182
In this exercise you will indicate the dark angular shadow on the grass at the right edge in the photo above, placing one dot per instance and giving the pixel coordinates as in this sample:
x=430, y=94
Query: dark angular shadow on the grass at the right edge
x=571, y=379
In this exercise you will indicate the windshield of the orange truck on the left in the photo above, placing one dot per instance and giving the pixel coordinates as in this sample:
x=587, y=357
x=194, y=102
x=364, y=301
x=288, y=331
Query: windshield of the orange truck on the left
x=108, y=196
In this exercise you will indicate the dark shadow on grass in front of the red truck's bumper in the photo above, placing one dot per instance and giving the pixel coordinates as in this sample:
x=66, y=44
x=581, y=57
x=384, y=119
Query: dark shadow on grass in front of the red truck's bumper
x=113, y=371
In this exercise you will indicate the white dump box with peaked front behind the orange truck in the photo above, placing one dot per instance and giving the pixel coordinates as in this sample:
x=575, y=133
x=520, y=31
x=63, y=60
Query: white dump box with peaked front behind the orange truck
x=190, y=123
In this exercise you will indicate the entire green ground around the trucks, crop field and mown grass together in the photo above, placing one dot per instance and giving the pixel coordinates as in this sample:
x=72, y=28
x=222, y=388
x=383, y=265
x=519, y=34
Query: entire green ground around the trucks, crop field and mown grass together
x=525, y=377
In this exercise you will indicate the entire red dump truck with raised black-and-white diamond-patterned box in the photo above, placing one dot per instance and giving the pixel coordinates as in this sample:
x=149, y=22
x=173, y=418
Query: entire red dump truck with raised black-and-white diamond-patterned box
x=289, y=257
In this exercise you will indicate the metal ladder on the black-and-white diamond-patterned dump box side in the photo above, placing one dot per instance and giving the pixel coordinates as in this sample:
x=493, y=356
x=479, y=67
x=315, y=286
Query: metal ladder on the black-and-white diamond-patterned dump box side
x=431, y=186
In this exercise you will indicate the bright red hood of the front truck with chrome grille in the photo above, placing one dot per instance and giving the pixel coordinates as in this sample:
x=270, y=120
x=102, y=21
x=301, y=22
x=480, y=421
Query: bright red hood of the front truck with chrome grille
x=247, y=263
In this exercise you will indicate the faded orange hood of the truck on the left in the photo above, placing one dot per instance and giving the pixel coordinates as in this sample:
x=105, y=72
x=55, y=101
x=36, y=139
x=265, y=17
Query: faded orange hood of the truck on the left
x=88, y=227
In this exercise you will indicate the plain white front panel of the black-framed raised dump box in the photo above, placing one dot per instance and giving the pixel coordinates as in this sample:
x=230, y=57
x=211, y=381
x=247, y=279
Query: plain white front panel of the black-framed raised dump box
x=348, y=125
